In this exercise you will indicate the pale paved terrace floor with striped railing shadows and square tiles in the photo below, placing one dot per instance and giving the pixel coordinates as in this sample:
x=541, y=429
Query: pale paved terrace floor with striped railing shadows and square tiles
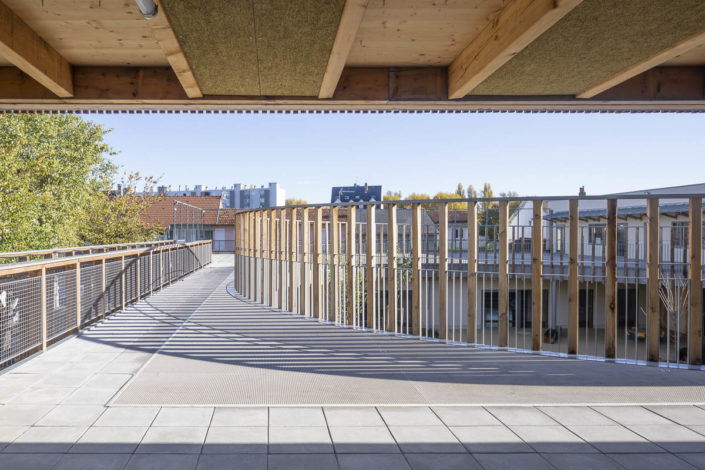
x=194, y=378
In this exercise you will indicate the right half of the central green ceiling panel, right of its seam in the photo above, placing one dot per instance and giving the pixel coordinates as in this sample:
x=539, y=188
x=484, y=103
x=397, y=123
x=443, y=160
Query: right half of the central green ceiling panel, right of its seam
x=294, y=39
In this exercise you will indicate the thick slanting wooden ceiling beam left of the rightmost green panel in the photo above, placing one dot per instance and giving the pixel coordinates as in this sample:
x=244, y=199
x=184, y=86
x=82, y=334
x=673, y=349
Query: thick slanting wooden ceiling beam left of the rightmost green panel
x=516, y=26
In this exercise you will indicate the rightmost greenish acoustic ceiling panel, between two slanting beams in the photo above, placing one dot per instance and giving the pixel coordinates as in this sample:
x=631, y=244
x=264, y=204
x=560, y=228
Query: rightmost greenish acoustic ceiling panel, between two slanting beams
x=596, y=40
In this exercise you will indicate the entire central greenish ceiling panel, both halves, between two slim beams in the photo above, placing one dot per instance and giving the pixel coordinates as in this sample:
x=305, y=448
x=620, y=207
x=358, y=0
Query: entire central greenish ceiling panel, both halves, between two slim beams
x=256, y=47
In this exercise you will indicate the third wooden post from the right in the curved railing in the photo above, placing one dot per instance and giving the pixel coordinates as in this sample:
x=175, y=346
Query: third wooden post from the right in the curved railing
x=611, y=281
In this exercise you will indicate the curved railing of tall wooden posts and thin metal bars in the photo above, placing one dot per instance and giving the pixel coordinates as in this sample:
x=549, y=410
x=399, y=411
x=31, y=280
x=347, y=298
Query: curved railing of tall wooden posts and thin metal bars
x=615, y=286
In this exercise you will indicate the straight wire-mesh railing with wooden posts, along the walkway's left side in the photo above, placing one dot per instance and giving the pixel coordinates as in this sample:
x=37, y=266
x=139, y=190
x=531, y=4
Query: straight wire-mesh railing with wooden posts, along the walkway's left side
x=46, y=300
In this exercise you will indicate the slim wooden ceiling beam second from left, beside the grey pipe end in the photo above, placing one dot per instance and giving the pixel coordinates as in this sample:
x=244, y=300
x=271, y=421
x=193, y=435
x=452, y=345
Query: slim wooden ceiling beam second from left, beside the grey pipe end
x=165, y=37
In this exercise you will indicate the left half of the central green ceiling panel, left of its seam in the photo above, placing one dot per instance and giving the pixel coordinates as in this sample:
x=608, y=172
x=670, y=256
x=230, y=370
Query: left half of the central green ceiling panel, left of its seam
x=218, y=40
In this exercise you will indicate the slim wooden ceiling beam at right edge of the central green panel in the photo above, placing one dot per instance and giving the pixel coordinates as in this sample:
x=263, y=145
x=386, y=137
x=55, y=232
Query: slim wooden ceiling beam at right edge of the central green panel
x=353, y=12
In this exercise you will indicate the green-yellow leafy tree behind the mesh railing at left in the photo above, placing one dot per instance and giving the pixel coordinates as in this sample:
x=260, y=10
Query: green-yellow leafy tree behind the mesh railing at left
x=54, y=183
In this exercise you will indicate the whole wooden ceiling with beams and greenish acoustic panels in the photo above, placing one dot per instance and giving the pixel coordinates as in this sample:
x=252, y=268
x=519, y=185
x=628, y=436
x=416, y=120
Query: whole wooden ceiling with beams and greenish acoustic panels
x=357, y=55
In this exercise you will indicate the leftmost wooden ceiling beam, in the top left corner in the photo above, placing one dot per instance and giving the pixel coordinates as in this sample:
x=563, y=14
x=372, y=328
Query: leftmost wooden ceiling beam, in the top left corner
x=25, y=49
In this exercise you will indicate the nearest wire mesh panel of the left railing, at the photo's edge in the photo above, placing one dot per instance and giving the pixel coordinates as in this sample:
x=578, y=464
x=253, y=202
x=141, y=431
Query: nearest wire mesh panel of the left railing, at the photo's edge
x=20, y=317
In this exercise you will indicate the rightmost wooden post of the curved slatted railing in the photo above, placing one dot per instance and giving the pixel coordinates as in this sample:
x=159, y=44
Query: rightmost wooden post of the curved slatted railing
x=695, y=238
